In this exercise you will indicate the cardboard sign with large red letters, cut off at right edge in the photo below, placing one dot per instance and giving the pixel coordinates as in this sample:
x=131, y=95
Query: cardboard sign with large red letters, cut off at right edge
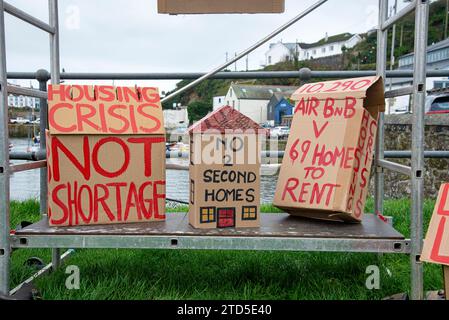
x=436, y=244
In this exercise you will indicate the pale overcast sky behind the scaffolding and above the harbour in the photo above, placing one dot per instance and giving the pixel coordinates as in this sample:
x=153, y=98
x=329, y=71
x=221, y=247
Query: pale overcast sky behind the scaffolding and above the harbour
x=130, y=36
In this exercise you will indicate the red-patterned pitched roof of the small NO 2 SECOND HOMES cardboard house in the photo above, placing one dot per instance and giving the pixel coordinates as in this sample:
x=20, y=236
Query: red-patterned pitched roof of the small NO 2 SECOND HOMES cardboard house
x=225, y=118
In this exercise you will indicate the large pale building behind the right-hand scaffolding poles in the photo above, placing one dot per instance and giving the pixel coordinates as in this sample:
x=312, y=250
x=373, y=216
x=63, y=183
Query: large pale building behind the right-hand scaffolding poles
x=437, y=59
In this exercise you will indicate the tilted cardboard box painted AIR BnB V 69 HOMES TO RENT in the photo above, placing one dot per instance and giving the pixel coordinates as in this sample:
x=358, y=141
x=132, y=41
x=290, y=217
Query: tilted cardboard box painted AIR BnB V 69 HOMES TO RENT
x=326, y=167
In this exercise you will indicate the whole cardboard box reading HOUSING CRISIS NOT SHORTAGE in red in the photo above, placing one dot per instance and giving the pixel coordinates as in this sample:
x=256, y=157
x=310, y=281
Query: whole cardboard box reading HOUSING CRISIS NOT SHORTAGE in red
x=106, y=155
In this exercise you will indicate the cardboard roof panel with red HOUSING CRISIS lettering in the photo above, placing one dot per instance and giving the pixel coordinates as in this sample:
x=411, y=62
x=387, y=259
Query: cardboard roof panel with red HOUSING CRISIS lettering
x=87, y=109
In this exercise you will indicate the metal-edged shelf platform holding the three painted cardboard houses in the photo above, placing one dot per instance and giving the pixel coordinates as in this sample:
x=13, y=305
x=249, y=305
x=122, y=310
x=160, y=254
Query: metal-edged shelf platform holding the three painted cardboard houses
x=278, y=232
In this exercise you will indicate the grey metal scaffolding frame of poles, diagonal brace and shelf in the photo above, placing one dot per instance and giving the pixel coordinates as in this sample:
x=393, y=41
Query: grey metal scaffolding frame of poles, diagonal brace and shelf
x=380, y=237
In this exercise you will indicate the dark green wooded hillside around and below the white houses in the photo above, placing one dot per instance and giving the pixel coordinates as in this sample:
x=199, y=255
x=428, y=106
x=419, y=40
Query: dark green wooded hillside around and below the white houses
x=361, y=57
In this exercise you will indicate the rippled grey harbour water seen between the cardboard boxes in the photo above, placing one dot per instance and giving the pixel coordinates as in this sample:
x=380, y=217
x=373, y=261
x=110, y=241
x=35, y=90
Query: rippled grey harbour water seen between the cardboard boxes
x=25, y=185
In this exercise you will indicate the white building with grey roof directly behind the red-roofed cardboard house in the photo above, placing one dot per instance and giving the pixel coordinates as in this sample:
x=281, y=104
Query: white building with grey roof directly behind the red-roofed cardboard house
x=252, y=101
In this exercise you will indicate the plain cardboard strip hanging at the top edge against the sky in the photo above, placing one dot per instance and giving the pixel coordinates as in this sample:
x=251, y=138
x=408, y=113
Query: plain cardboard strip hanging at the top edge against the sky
x=219, y=6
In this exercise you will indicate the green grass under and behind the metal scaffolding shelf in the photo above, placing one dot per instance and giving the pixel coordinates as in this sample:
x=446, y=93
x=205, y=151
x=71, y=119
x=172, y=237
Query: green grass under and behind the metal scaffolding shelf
x=188, y=274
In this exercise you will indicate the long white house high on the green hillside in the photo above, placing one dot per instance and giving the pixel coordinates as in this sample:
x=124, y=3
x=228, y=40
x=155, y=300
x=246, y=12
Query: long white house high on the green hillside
x=328, y=46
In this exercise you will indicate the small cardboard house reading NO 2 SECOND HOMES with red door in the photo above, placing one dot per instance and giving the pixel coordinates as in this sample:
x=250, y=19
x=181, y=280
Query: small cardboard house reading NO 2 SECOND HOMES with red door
x=225, y=170
